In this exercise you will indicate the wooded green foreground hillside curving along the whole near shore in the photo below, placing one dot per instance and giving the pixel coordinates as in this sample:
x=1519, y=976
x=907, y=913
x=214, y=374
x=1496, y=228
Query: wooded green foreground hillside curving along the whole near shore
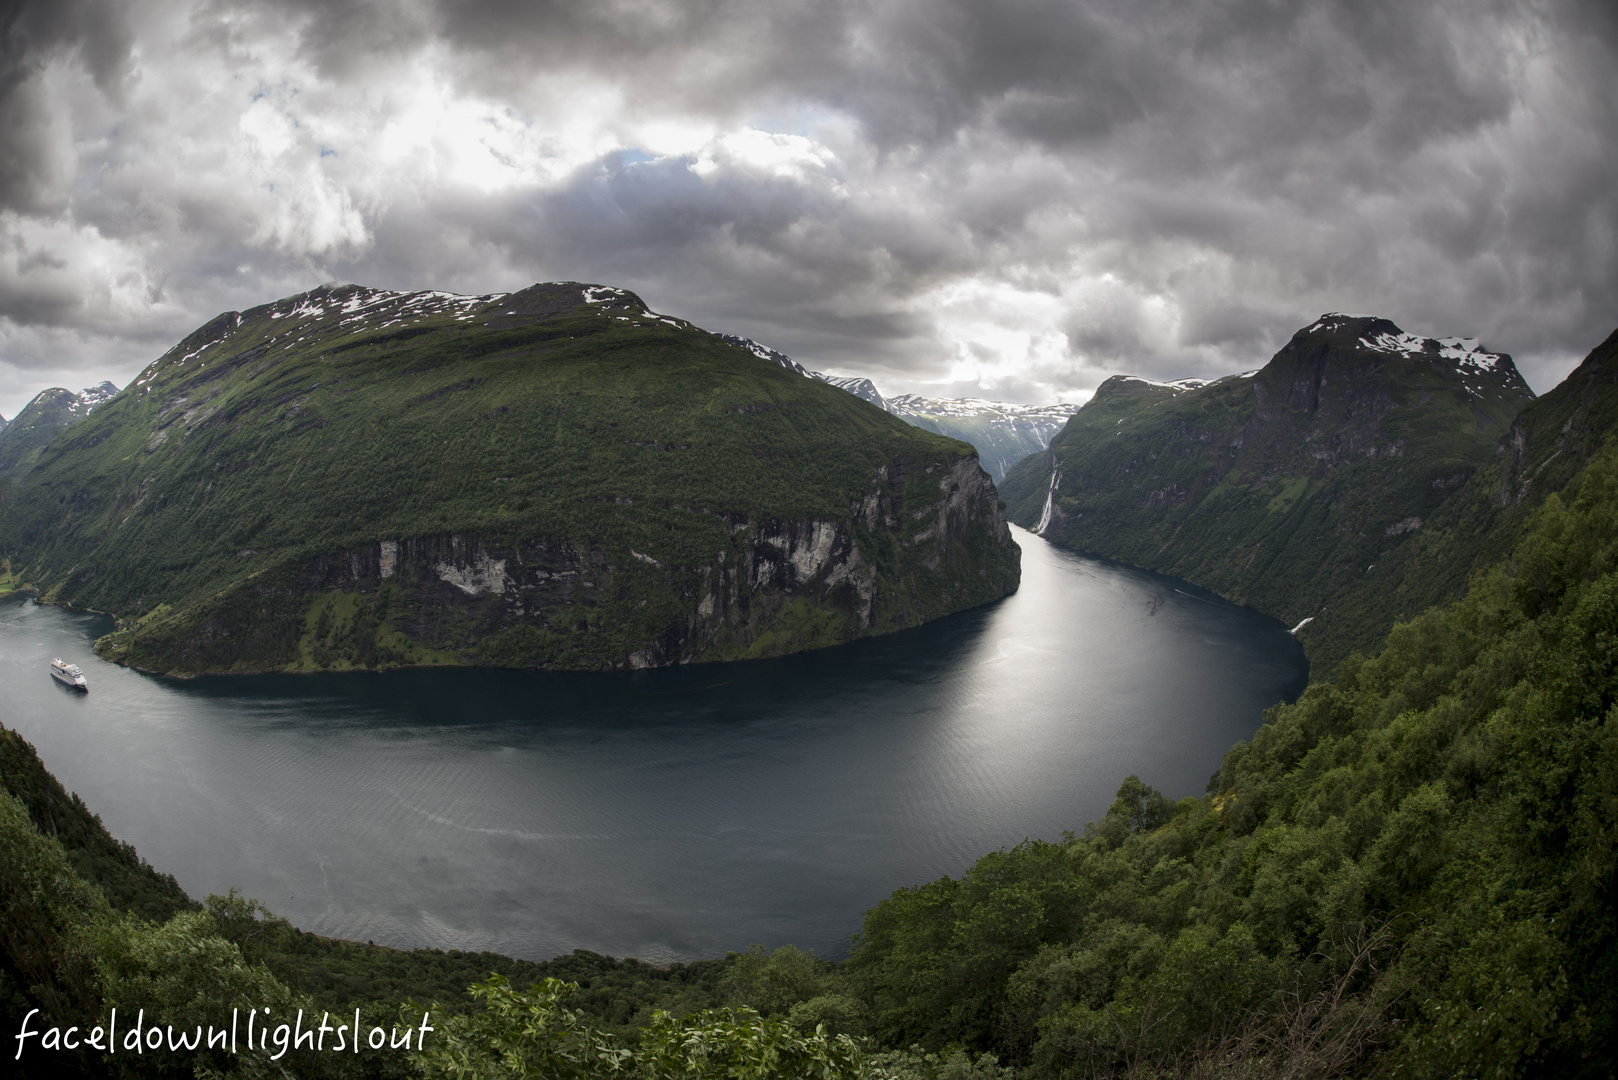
x=1412, y=872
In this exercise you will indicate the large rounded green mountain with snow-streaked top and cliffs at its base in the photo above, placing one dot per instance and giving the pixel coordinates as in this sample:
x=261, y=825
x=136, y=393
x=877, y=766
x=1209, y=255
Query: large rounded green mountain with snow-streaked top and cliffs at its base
x=551, y=478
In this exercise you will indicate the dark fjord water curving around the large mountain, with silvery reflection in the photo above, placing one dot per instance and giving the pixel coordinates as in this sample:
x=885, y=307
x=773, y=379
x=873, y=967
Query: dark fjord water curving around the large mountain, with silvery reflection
x=664, y=815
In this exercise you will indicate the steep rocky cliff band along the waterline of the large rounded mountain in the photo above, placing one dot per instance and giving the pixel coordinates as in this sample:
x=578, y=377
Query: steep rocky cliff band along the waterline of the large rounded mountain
x=774, y=587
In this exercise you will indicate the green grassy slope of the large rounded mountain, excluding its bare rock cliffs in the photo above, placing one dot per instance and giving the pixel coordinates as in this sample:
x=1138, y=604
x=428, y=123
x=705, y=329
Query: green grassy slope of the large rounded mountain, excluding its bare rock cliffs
x=231, y=466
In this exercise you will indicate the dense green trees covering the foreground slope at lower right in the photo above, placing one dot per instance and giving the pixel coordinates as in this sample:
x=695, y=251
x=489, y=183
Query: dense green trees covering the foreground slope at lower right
x=1410, y=870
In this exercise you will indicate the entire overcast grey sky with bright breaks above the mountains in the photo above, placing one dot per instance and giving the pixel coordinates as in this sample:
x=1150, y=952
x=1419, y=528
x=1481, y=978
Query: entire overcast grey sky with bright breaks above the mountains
x=1010, y=200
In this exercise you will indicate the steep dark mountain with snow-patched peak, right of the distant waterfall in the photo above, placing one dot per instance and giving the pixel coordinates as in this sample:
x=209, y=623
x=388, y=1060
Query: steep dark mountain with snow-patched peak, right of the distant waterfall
x=1286, y=487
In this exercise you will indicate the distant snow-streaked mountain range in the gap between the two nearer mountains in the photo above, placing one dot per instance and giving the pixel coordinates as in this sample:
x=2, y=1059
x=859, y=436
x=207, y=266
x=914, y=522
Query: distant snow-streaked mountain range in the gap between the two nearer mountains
x=1002, y=433
